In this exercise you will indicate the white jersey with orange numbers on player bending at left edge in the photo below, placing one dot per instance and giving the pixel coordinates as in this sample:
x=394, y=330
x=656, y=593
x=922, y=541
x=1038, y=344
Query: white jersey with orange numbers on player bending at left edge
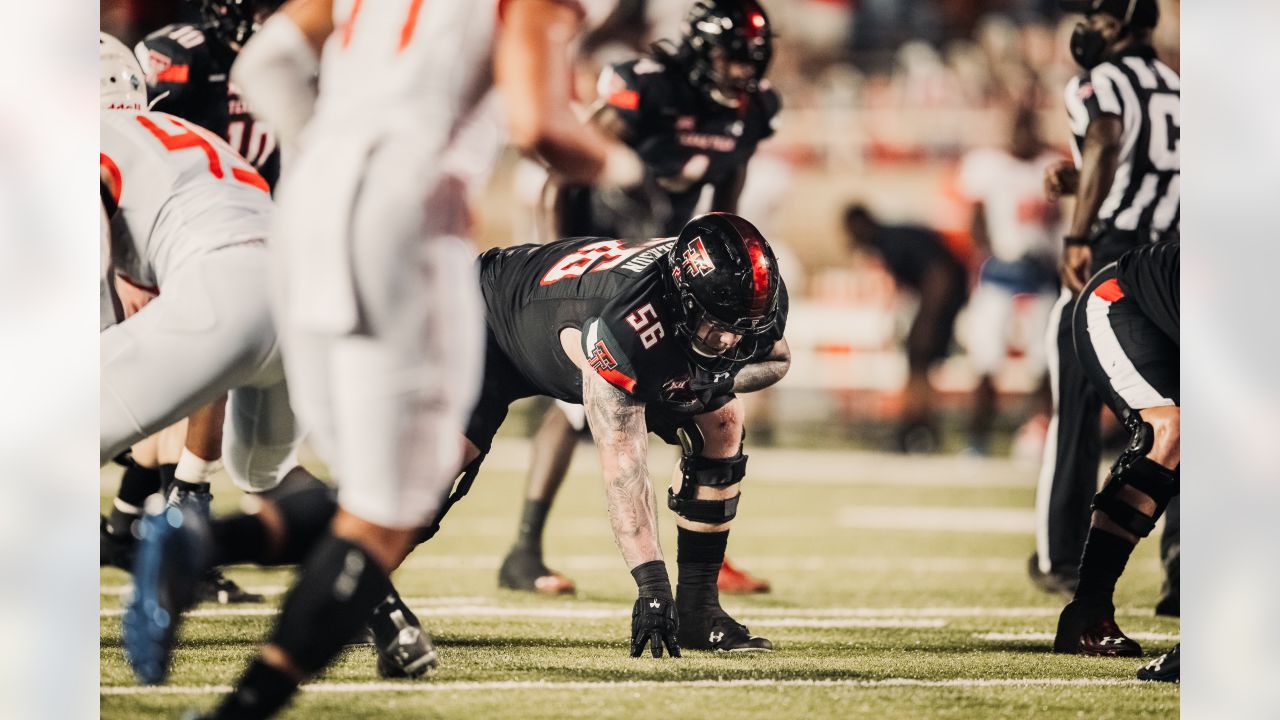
x=182, y=193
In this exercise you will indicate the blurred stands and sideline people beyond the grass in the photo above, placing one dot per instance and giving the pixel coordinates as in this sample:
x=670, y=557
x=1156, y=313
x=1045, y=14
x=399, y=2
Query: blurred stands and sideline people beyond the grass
x=881, y=102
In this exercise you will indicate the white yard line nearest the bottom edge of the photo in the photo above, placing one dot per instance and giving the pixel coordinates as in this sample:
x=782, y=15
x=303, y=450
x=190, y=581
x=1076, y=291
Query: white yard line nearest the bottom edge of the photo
x=428, y=687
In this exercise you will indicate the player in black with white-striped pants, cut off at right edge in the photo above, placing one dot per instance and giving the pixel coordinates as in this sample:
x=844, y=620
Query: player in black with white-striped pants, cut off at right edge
x=1127, y=335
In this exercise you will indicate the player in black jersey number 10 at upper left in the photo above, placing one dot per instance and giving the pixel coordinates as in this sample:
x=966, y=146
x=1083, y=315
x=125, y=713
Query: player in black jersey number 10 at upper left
x=189, y=67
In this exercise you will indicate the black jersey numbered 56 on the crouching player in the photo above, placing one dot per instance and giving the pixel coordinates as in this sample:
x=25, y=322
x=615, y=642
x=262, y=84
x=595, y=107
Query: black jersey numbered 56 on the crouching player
x=614, y=293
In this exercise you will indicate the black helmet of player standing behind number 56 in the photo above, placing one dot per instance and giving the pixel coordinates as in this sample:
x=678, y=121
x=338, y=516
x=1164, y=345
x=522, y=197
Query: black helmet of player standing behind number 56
x=737, y=30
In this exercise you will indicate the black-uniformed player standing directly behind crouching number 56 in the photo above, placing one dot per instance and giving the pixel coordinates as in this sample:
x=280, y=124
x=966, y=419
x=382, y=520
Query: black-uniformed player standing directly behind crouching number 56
x=696, y=112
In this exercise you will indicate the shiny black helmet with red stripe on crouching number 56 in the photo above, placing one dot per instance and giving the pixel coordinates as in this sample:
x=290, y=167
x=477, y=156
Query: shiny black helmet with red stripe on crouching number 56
x=721, y=270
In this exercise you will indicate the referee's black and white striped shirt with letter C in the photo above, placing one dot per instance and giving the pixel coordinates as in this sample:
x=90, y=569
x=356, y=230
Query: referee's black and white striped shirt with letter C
x=1144, y=93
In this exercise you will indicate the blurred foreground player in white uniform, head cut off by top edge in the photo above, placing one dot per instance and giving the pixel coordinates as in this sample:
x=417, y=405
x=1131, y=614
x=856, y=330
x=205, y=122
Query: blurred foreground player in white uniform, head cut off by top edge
x=380, y=299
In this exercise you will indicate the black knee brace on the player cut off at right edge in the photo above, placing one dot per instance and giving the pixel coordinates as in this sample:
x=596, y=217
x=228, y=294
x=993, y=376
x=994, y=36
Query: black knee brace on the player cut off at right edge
x=1135, y=470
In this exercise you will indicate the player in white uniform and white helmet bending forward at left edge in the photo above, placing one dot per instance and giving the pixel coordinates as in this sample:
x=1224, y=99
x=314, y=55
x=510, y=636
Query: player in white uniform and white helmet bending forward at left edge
x=188, y=216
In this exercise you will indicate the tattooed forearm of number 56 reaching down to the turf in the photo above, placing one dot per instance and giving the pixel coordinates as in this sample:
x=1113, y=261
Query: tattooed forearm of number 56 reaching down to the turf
x=618, y=423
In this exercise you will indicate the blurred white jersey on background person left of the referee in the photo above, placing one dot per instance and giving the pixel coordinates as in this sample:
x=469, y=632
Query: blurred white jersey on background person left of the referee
x=1021, y=222
